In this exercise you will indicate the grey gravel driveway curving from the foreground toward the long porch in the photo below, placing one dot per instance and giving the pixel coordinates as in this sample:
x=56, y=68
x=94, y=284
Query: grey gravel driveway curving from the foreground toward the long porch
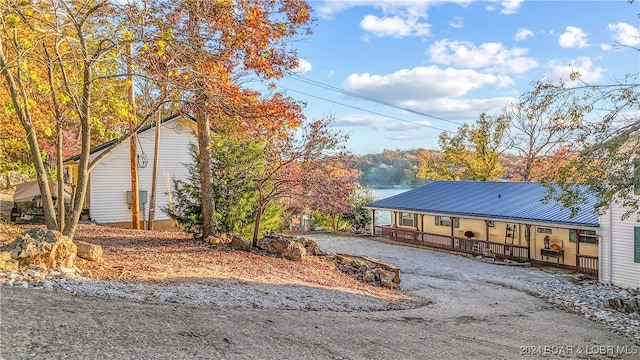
x=473, y=314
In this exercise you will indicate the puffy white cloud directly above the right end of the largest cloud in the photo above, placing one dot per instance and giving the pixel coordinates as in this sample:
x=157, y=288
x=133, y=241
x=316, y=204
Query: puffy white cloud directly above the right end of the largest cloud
x=493, y=57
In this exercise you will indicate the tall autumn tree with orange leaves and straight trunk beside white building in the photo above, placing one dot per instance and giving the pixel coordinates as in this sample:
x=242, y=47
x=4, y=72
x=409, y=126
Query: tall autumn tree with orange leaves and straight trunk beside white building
x=197, y=50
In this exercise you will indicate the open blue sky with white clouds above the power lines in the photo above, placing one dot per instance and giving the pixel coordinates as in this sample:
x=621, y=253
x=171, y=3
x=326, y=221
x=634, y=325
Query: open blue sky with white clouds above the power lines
x=450, y=60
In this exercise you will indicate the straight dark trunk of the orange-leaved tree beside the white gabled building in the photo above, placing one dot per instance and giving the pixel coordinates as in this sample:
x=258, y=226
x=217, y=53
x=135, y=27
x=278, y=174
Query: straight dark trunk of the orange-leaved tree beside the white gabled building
x=206, y=175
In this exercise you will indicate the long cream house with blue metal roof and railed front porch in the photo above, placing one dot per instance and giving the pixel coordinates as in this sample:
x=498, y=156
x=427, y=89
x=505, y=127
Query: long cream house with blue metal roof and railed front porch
x=509, y=219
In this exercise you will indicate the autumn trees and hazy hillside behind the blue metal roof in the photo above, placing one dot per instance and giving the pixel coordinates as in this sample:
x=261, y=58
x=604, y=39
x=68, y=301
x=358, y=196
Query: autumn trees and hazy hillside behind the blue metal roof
x=571, y=137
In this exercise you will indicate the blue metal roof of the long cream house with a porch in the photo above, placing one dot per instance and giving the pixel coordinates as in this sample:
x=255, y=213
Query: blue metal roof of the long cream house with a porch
x=519, y=201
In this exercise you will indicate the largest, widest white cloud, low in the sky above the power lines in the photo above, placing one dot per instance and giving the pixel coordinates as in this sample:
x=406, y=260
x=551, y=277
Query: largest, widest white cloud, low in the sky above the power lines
x=420, y=83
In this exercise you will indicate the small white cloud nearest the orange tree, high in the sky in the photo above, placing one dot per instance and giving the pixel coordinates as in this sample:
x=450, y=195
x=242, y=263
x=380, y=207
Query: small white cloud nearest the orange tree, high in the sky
x=395, y=26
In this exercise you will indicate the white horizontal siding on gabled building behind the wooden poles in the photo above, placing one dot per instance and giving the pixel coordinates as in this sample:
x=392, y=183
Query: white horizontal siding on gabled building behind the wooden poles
x=111, y=178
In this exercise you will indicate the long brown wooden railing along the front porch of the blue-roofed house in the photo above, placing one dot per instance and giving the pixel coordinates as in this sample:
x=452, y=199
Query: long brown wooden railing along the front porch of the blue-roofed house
x=464, y=245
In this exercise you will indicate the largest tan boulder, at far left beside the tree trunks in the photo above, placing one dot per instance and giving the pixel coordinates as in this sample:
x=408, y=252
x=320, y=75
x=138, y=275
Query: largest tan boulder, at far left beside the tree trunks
x=42, y=247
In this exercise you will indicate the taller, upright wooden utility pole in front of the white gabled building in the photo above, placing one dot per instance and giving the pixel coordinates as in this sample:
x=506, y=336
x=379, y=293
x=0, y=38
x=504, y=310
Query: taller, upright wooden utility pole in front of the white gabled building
x=133, y=151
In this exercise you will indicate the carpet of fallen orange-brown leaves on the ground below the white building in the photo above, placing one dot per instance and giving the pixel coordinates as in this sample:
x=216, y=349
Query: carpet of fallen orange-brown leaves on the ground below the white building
x=174, y=257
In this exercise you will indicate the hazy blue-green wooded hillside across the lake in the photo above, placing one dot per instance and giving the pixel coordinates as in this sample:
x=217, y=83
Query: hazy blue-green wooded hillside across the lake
x=392, y=168
